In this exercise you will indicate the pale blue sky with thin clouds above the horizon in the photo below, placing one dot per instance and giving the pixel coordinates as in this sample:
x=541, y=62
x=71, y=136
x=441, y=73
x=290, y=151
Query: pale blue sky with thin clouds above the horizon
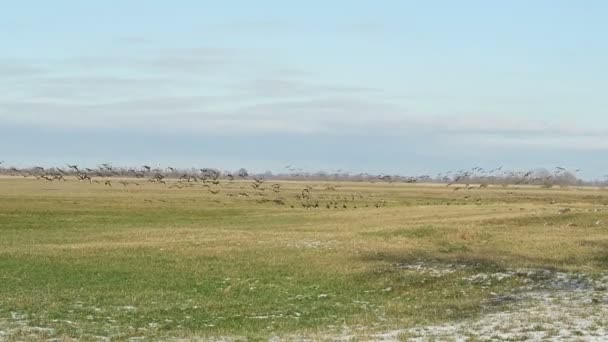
x=405, y=87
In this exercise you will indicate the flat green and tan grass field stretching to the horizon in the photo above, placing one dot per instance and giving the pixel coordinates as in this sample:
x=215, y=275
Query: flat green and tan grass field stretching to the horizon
x=89, y=262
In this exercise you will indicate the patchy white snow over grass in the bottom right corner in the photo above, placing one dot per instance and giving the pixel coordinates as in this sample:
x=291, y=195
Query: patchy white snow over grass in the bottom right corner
x=562, y=307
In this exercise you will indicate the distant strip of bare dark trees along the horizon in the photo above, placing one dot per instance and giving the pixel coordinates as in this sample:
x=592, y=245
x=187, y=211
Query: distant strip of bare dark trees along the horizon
x=476, y=175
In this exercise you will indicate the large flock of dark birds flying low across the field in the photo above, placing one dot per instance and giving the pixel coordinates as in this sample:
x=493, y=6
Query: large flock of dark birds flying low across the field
x=243, y=185
